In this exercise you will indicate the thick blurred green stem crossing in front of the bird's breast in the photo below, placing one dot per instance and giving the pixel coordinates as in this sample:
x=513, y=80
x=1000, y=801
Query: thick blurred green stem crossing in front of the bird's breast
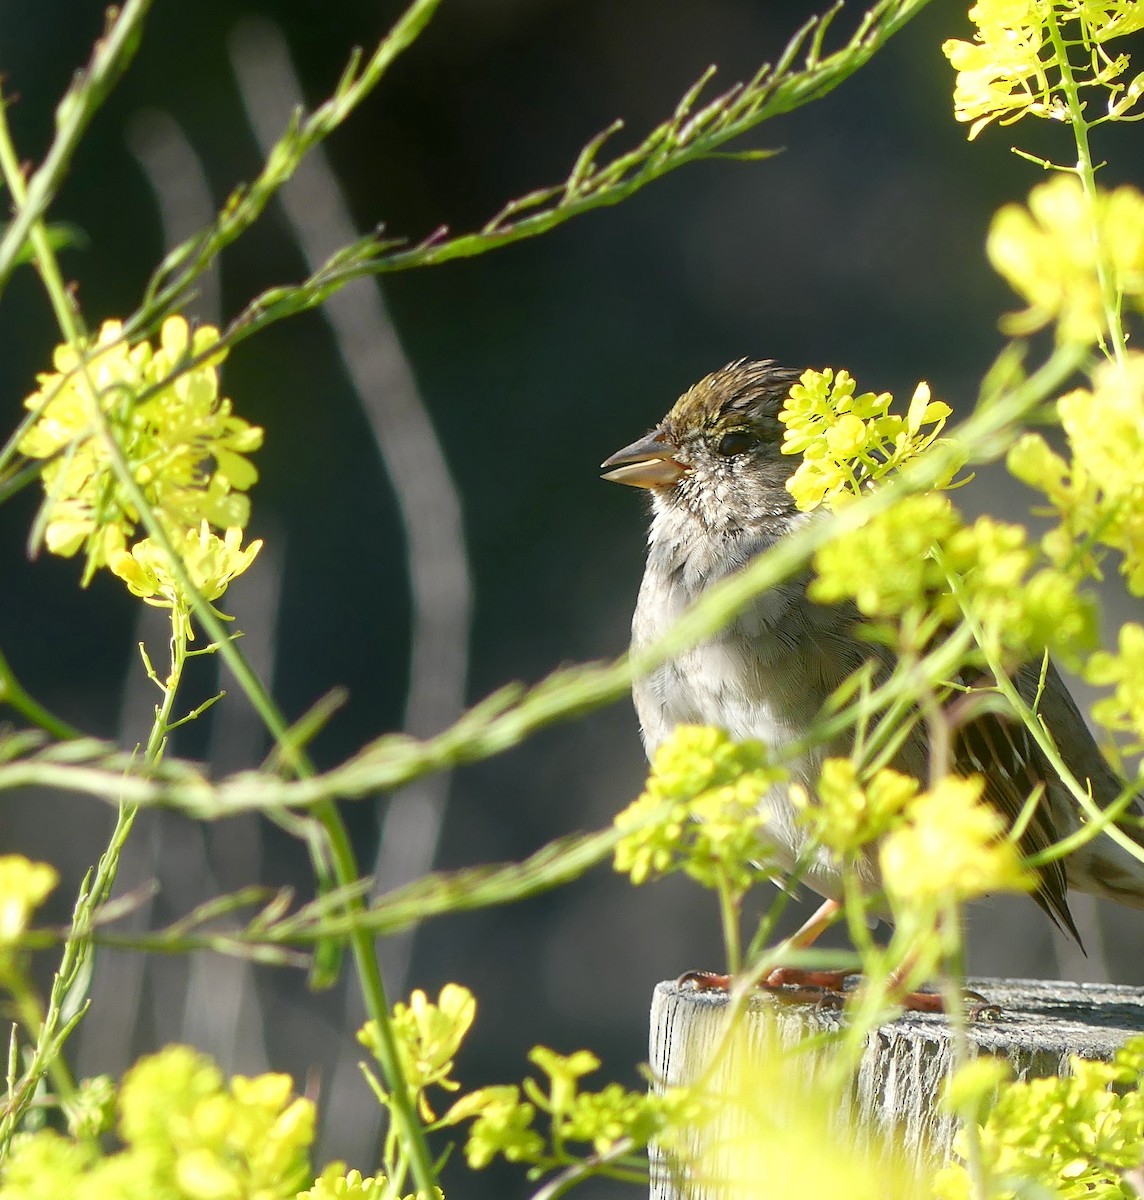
x=512, y=715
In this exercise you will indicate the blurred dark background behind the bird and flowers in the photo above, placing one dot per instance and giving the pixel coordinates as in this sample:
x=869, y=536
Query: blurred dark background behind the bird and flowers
x=859, y=247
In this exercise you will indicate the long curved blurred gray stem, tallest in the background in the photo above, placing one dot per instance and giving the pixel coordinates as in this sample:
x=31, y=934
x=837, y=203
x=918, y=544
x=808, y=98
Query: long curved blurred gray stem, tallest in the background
x=430, y=508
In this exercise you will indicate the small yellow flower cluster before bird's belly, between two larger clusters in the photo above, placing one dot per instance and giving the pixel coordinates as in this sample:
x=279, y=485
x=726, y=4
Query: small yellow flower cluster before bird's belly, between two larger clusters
x=847, y=814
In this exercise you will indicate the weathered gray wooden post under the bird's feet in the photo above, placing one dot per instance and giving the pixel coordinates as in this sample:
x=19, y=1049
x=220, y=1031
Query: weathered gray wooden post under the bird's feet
x=1040, y=1025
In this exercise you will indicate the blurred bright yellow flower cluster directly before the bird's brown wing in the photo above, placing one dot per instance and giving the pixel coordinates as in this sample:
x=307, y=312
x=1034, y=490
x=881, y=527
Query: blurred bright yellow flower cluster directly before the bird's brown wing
x=951, y=849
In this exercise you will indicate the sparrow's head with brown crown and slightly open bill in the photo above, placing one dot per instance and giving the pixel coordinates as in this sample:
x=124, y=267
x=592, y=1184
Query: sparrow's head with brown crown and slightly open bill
x=718, y=453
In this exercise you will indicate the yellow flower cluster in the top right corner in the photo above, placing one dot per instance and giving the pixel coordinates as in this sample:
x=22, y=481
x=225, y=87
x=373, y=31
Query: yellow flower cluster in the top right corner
x=1011, y=69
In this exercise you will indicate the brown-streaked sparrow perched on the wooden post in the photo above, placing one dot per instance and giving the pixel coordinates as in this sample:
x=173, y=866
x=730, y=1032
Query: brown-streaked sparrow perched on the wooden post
x=717, y=479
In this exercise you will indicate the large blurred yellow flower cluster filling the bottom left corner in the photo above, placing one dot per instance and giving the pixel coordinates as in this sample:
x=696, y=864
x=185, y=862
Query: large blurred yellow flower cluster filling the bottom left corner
x=188, y=1135
